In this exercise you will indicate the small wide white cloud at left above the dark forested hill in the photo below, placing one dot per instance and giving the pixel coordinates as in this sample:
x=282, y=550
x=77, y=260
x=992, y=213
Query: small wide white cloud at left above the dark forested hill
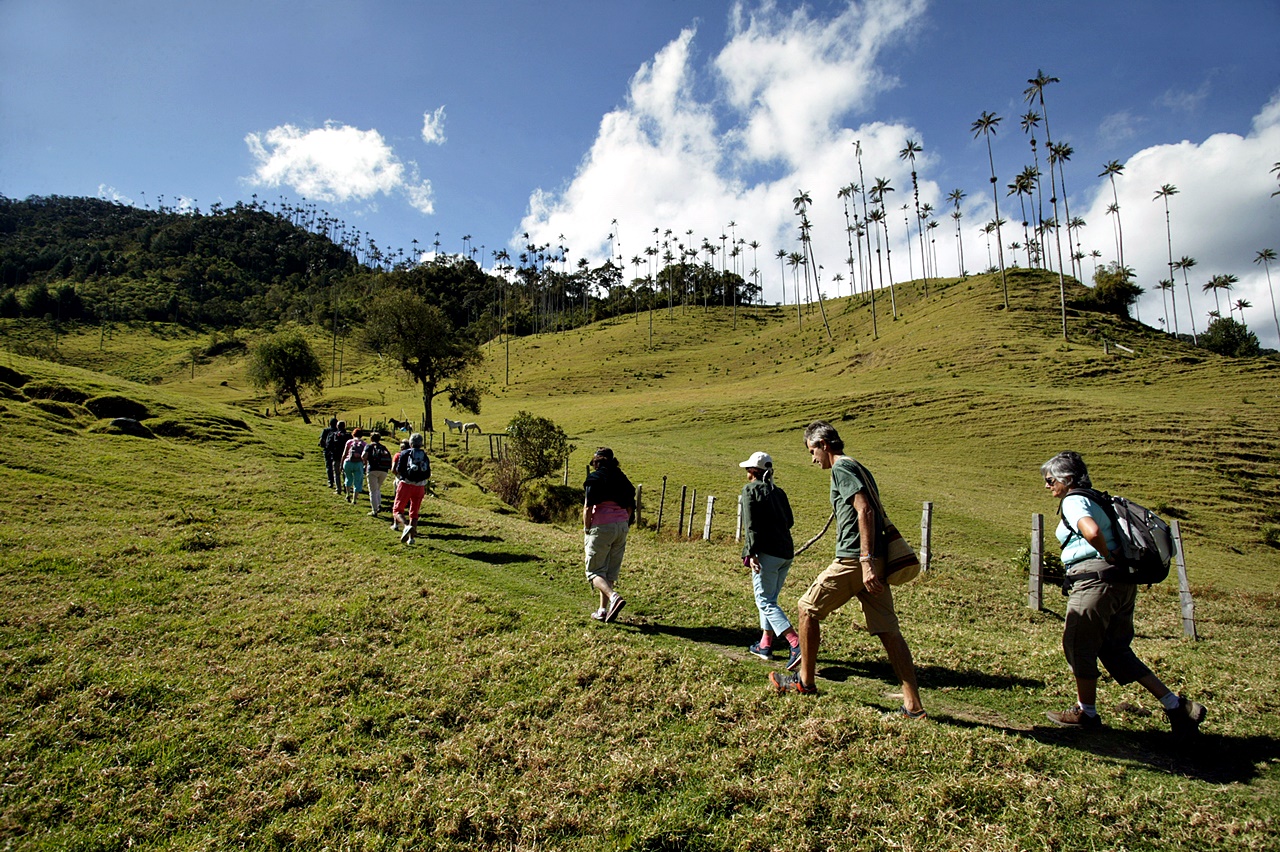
x=336, y=164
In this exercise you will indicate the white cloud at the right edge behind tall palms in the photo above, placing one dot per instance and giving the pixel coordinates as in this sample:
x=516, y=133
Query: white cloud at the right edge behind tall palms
x=1222, y=216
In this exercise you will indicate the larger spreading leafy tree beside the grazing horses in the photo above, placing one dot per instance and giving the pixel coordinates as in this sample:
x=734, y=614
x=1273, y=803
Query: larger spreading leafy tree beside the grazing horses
x=420, y=338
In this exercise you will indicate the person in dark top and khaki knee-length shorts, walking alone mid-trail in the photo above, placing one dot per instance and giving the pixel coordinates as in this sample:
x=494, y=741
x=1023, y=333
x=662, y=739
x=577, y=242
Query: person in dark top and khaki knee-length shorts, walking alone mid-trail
x=609, y=512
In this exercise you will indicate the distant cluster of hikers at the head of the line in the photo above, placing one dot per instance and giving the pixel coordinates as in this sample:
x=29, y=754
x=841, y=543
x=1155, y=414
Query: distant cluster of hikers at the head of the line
x=351, y=462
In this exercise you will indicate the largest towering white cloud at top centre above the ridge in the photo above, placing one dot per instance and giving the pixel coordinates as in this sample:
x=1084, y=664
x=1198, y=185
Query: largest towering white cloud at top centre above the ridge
x=785, y=83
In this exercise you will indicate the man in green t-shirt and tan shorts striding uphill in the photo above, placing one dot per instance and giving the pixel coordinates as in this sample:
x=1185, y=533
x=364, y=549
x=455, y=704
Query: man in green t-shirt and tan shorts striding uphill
x=854, y=574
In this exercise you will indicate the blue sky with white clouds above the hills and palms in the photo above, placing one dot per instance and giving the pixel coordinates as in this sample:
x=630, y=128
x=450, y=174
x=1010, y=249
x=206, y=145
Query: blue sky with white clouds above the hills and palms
x=496, y=118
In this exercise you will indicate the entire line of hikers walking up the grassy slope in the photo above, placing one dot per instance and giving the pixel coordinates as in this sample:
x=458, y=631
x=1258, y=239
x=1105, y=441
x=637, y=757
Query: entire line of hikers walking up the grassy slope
x=1099, y=626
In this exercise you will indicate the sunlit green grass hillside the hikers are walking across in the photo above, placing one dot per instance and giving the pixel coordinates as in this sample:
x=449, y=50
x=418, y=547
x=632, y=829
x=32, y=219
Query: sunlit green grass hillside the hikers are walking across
x=205, y=649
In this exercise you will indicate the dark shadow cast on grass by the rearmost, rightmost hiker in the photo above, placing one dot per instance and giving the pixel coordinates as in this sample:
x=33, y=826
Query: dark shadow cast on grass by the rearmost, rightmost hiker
x=1210, y=758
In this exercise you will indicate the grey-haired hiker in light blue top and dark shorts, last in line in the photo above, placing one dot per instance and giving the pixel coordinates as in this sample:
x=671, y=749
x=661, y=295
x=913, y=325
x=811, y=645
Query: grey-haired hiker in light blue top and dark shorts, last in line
x=1099, y=624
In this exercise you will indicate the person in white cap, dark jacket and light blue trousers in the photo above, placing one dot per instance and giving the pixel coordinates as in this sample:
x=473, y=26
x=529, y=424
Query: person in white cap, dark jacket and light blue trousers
x=767, y=551
